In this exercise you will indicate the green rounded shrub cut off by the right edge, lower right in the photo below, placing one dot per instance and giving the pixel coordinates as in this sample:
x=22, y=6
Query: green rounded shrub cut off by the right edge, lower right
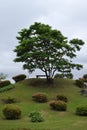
x=82, y=110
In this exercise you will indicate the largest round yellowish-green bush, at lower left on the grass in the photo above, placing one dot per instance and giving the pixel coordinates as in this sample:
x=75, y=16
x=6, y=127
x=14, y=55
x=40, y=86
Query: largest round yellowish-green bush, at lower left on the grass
x=11, y=112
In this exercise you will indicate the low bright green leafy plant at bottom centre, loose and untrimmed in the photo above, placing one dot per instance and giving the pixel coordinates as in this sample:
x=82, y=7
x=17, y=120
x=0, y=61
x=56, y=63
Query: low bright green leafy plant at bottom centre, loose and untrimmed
x=36, y=117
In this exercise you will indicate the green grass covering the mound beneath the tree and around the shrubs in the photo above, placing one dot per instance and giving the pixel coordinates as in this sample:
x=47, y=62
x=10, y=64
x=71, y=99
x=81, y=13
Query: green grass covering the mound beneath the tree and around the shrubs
x=54, y=120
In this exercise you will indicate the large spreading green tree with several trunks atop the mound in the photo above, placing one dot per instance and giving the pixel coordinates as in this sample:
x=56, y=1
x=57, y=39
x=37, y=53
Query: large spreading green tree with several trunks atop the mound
x=44, y=48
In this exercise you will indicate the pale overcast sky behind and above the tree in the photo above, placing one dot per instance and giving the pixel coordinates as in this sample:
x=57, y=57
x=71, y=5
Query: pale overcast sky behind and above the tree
x=68, y=16
